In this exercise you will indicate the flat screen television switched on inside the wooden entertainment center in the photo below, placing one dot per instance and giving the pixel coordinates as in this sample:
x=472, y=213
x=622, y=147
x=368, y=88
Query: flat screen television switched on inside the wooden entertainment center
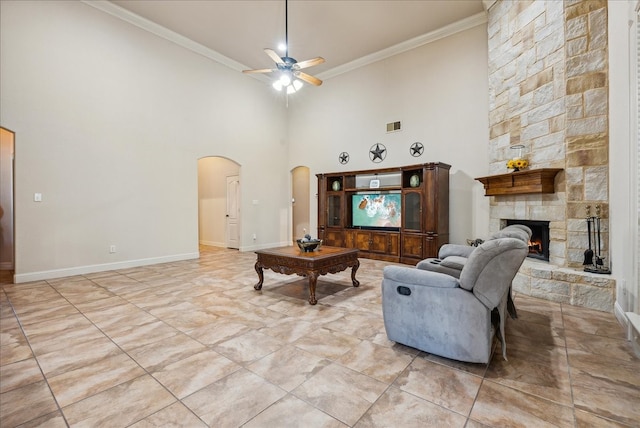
x=376, y=210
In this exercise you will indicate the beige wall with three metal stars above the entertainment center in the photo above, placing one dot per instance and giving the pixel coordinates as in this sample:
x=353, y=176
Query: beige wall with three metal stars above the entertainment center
x=438, y=92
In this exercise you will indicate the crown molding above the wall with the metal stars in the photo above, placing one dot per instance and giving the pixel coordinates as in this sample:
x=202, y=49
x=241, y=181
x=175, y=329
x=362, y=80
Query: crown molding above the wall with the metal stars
x=446, y=31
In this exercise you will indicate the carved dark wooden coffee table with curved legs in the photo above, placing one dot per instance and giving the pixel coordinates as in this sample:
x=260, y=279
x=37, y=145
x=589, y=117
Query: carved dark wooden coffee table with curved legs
x=290, y=260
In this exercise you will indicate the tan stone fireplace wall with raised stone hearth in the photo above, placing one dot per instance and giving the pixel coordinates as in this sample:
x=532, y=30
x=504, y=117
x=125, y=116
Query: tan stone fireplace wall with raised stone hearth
x=548, y=91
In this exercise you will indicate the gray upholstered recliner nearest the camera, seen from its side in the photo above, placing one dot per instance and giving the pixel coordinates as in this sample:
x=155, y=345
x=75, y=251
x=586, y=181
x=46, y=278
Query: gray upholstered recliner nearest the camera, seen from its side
x=452, y=317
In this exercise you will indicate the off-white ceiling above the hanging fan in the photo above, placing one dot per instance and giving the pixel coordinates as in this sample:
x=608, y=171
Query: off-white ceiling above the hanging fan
x=341, y=31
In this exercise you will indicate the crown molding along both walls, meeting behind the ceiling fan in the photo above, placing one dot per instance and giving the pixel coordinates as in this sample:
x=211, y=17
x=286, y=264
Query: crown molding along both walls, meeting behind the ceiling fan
x=180, y=40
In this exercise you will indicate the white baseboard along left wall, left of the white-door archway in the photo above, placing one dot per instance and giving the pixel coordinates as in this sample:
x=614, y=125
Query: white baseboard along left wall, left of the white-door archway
x=82, y=270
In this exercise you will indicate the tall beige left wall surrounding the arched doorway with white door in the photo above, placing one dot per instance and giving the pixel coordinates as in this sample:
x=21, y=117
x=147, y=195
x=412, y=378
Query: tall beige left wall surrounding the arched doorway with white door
x=111, y=121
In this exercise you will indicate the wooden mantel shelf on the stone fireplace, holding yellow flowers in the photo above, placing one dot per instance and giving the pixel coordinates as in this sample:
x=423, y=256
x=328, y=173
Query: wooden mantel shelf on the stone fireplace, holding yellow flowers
x=520, y=182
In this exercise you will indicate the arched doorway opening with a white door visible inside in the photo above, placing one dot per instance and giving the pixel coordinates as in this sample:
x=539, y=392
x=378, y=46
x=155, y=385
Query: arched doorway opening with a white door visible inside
x=218, y=202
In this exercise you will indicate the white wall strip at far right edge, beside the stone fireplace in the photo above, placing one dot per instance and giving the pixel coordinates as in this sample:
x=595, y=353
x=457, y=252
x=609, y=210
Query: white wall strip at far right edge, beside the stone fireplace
x=624, y=149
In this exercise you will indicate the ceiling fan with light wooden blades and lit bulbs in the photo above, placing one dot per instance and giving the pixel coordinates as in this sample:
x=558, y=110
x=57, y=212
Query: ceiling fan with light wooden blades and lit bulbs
x=288, y=68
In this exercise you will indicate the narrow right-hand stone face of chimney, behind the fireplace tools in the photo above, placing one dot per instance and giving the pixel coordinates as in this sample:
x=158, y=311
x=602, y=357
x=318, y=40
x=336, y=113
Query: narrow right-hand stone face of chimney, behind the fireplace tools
x=587, y=135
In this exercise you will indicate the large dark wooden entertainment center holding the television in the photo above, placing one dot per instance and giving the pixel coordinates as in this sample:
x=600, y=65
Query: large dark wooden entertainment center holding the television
x=424, y=211
